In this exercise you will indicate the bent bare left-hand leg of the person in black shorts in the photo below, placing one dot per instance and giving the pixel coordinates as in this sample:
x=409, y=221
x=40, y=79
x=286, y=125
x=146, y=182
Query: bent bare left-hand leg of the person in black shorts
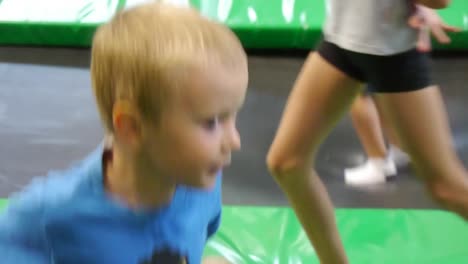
x=320, y=97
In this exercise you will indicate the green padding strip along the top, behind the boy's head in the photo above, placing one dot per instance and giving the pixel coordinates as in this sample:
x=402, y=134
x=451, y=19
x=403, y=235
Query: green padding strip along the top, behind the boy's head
x=259, y=23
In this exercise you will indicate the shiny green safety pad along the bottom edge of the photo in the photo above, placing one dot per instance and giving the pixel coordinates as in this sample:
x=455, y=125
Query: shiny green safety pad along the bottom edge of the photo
x=251, y=235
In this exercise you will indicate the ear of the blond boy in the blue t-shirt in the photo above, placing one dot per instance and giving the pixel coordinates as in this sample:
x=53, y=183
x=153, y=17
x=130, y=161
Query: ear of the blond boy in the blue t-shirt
x=127, y=129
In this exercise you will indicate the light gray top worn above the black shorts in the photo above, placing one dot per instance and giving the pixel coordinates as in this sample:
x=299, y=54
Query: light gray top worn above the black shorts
x=377, y=27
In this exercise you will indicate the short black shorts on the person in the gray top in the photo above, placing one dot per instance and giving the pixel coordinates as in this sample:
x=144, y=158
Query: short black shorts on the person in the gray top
x=402, y=72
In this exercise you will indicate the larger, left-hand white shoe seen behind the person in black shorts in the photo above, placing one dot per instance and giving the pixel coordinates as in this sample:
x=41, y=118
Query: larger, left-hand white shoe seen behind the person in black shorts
x=374, y=171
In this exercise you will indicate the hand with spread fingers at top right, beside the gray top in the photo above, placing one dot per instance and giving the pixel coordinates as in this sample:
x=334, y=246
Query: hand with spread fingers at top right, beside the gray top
x=428, y=21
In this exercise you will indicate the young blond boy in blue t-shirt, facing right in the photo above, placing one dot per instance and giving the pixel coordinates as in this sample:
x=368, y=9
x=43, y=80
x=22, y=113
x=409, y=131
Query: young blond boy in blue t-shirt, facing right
x=168, y=84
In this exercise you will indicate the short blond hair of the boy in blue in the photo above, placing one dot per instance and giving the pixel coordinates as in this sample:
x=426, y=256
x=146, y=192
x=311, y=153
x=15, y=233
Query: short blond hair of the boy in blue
x=142, y=55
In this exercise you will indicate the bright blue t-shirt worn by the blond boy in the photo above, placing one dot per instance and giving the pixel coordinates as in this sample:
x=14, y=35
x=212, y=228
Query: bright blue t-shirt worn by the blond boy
x=68, y=218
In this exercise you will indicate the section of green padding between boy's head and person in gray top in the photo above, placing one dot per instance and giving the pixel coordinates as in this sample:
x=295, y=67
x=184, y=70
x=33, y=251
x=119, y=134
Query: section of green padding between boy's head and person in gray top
x=270, y=23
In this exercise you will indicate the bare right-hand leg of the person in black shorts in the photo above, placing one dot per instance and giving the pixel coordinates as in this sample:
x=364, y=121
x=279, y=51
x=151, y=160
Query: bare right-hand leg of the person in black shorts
x=420, y=120
